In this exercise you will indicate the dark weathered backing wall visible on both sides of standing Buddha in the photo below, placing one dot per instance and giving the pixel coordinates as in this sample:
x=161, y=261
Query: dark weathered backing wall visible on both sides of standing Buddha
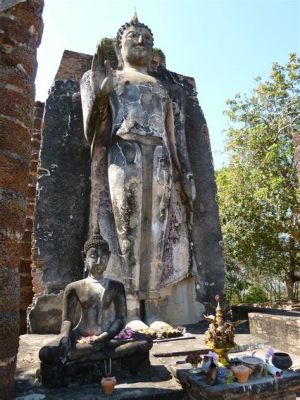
x=63, y=190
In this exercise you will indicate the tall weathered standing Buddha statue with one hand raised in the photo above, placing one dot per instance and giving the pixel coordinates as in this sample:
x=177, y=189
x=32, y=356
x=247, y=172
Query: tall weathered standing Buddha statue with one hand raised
x=129, y=119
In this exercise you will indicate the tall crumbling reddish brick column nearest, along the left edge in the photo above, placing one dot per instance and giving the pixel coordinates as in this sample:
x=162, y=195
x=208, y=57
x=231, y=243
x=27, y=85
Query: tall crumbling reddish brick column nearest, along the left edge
x=20, y=35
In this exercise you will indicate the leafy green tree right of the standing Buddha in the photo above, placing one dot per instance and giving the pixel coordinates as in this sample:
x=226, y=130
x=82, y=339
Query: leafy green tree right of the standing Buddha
x=257, y=191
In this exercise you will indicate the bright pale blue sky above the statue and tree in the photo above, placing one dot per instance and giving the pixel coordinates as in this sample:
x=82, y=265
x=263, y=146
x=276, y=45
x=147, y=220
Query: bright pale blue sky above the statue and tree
x=224, y=44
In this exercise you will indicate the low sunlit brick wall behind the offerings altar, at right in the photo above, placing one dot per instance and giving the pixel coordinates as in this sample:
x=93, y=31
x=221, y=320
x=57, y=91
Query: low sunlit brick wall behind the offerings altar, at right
x=281, y=331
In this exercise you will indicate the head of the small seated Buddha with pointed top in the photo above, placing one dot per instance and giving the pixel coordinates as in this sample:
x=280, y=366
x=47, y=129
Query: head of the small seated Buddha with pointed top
x=96, y=253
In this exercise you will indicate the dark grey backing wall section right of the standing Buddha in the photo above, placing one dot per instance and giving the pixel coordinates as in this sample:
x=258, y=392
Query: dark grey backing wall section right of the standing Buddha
x=206, y=232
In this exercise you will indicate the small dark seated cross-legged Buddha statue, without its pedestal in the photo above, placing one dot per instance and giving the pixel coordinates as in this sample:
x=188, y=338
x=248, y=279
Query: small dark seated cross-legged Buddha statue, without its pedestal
x=103, y=312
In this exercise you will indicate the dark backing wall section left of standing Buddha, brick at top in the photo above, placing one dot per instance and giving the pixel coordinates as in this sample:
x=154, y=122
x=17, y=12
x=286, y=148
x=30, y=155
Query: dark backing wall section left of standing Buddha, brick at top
x=61, y=187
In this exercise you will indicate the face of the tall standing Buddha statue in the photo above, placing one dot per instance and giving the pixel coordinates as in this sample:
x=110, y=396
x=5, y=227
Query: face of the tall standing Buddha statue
x=136, y=46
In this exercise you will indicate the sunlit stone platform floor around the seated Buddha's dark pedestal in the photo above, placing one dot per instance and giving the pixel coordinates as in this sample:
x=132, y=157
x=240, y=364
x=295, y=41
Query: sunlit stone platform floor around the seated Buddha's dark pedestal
x=158, y=384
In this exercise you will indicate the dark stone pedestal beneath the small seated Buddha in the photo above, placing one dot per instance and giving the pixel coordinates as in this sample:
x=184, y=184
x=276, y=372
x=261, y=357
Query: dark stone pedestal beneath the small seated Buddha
x=89, y=372
